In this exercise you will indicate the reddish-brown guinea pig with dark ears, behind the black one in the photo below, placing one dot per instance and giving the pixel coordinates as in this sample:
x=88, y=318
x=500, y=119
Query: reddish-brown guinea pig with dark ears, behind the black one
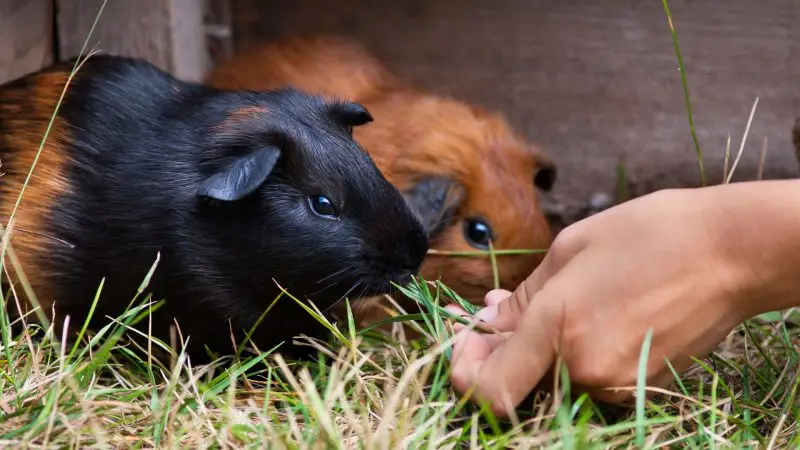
x=468, y=175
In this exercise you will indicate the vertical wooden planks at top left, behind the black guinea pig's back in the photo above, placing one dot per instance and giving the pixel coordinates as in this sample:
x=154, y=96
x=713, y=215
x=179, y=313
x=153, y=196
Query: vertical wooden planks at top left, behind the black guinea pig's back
x=180, y=36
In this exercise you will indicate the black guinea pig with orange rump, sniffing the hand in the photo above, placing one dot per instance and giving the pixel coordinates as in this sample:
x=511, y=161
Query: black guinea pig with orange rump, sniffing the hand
x=238, y=192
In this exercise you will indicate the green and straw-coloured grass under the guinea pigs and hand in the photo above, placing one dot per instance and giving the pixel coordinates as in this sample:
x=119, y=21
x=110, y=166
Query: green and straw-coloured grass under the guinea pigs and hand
x=370, y=388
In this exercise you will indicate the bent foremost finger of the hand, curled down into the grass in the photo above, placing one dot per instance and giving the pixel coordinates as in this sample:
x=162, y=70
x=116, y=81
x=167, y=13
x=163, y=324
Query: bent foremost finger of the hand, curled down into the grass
x=505, y=375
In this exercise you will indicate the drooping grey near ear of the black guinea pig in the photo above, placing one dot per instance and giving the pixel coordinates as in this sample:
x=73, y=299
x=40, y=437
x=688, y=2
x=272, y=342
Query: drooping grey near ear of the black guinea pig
x=241, y=177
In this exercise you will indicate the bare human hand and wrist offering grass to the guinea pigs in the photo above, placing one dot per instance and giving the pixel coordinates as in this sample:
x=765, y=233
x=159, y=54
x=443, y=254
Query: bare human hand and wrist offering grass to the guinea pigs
x=690, y=264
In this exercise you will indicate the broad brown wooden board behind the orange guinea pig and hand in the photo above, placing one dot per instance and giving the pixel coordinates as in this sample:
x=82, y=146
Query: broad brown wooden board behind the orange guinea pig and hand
x=593, y=82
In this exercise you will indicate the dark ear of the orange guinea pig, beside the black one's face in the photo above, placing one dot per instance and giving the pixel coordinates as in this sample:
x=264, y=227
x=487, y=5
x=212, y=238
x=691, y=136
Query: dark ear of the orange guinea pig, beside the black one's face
x=435, y=200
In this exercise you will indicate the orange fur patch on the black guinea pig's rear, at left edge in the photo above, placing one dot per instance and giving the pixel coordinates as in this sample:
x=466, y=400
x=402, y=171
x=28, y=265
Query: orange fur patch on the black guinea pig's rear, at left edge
x=26, y=114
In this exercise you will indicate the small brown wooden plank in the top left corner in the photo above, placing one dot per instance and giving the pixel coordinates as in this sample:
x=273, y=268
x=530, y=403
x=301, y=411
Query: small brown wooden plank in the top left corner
x=25, y=37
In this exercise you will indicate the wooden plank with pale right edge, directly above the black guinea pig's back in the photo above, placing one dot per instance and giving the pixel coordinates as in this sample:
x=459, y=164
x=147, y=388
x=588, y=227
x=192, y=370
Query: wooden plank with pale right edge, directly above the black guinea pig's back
x=168, y=33
